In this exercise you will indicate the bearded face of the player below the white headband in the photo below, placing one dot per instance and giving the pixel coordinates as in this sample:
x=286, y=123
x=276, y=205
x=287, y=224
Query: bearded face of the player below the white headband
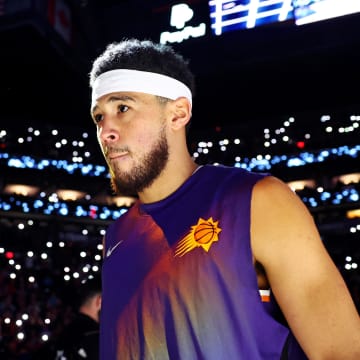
x=131, y=130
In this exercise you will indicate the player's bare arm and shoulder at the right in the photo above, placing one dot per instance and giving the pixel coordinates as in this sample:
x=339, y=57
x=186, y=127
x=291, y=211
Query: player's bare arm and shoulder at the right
x=306, y=283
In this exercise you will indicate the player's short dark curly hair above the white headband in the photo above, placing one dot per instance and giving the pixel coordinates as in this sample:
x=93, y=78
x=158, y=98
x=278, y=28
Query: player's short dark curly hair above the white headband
x=143, y=55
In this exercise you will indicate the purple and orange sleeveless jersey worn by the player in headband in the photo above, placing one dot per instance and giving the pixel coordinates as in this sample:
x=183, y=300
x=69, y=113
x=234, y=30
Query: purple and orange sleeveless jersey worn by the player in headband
x=179, y=281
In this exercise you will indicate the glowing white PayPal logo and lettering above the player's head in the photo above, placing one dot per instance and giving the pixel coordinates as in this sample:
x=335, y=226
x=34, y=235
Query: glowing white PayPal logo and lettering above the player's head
x=180, y=15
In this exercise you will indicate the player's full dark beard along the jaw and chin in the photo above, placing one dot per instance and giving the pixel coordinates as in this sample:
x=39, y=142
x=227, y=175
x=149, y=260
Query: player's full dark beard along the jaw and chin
x=142, y=175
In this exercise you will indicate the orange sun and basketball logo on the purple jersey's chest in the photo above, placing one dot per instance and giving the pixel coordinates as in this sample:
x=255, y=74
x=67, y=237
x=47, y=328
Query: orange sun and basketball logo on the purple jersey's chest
x=203, y=234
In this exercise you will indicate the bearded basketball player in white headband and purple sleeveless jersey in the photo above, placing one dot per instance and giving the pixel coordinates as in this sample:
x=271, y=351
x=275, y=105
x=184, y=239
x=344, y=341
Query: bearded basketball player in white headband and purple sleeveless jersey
x=211, y=262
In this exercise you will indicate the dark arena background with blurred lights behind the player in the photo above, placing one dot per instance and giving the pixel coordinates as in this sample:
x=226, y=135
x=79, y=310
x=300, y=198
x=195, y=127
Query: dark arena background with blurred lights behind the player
x=277, y=97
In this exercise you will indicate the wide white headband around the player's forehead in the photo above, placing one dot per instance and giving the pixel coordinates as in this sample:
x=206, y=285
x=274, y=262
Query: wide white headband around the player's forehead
x=138, y=81
